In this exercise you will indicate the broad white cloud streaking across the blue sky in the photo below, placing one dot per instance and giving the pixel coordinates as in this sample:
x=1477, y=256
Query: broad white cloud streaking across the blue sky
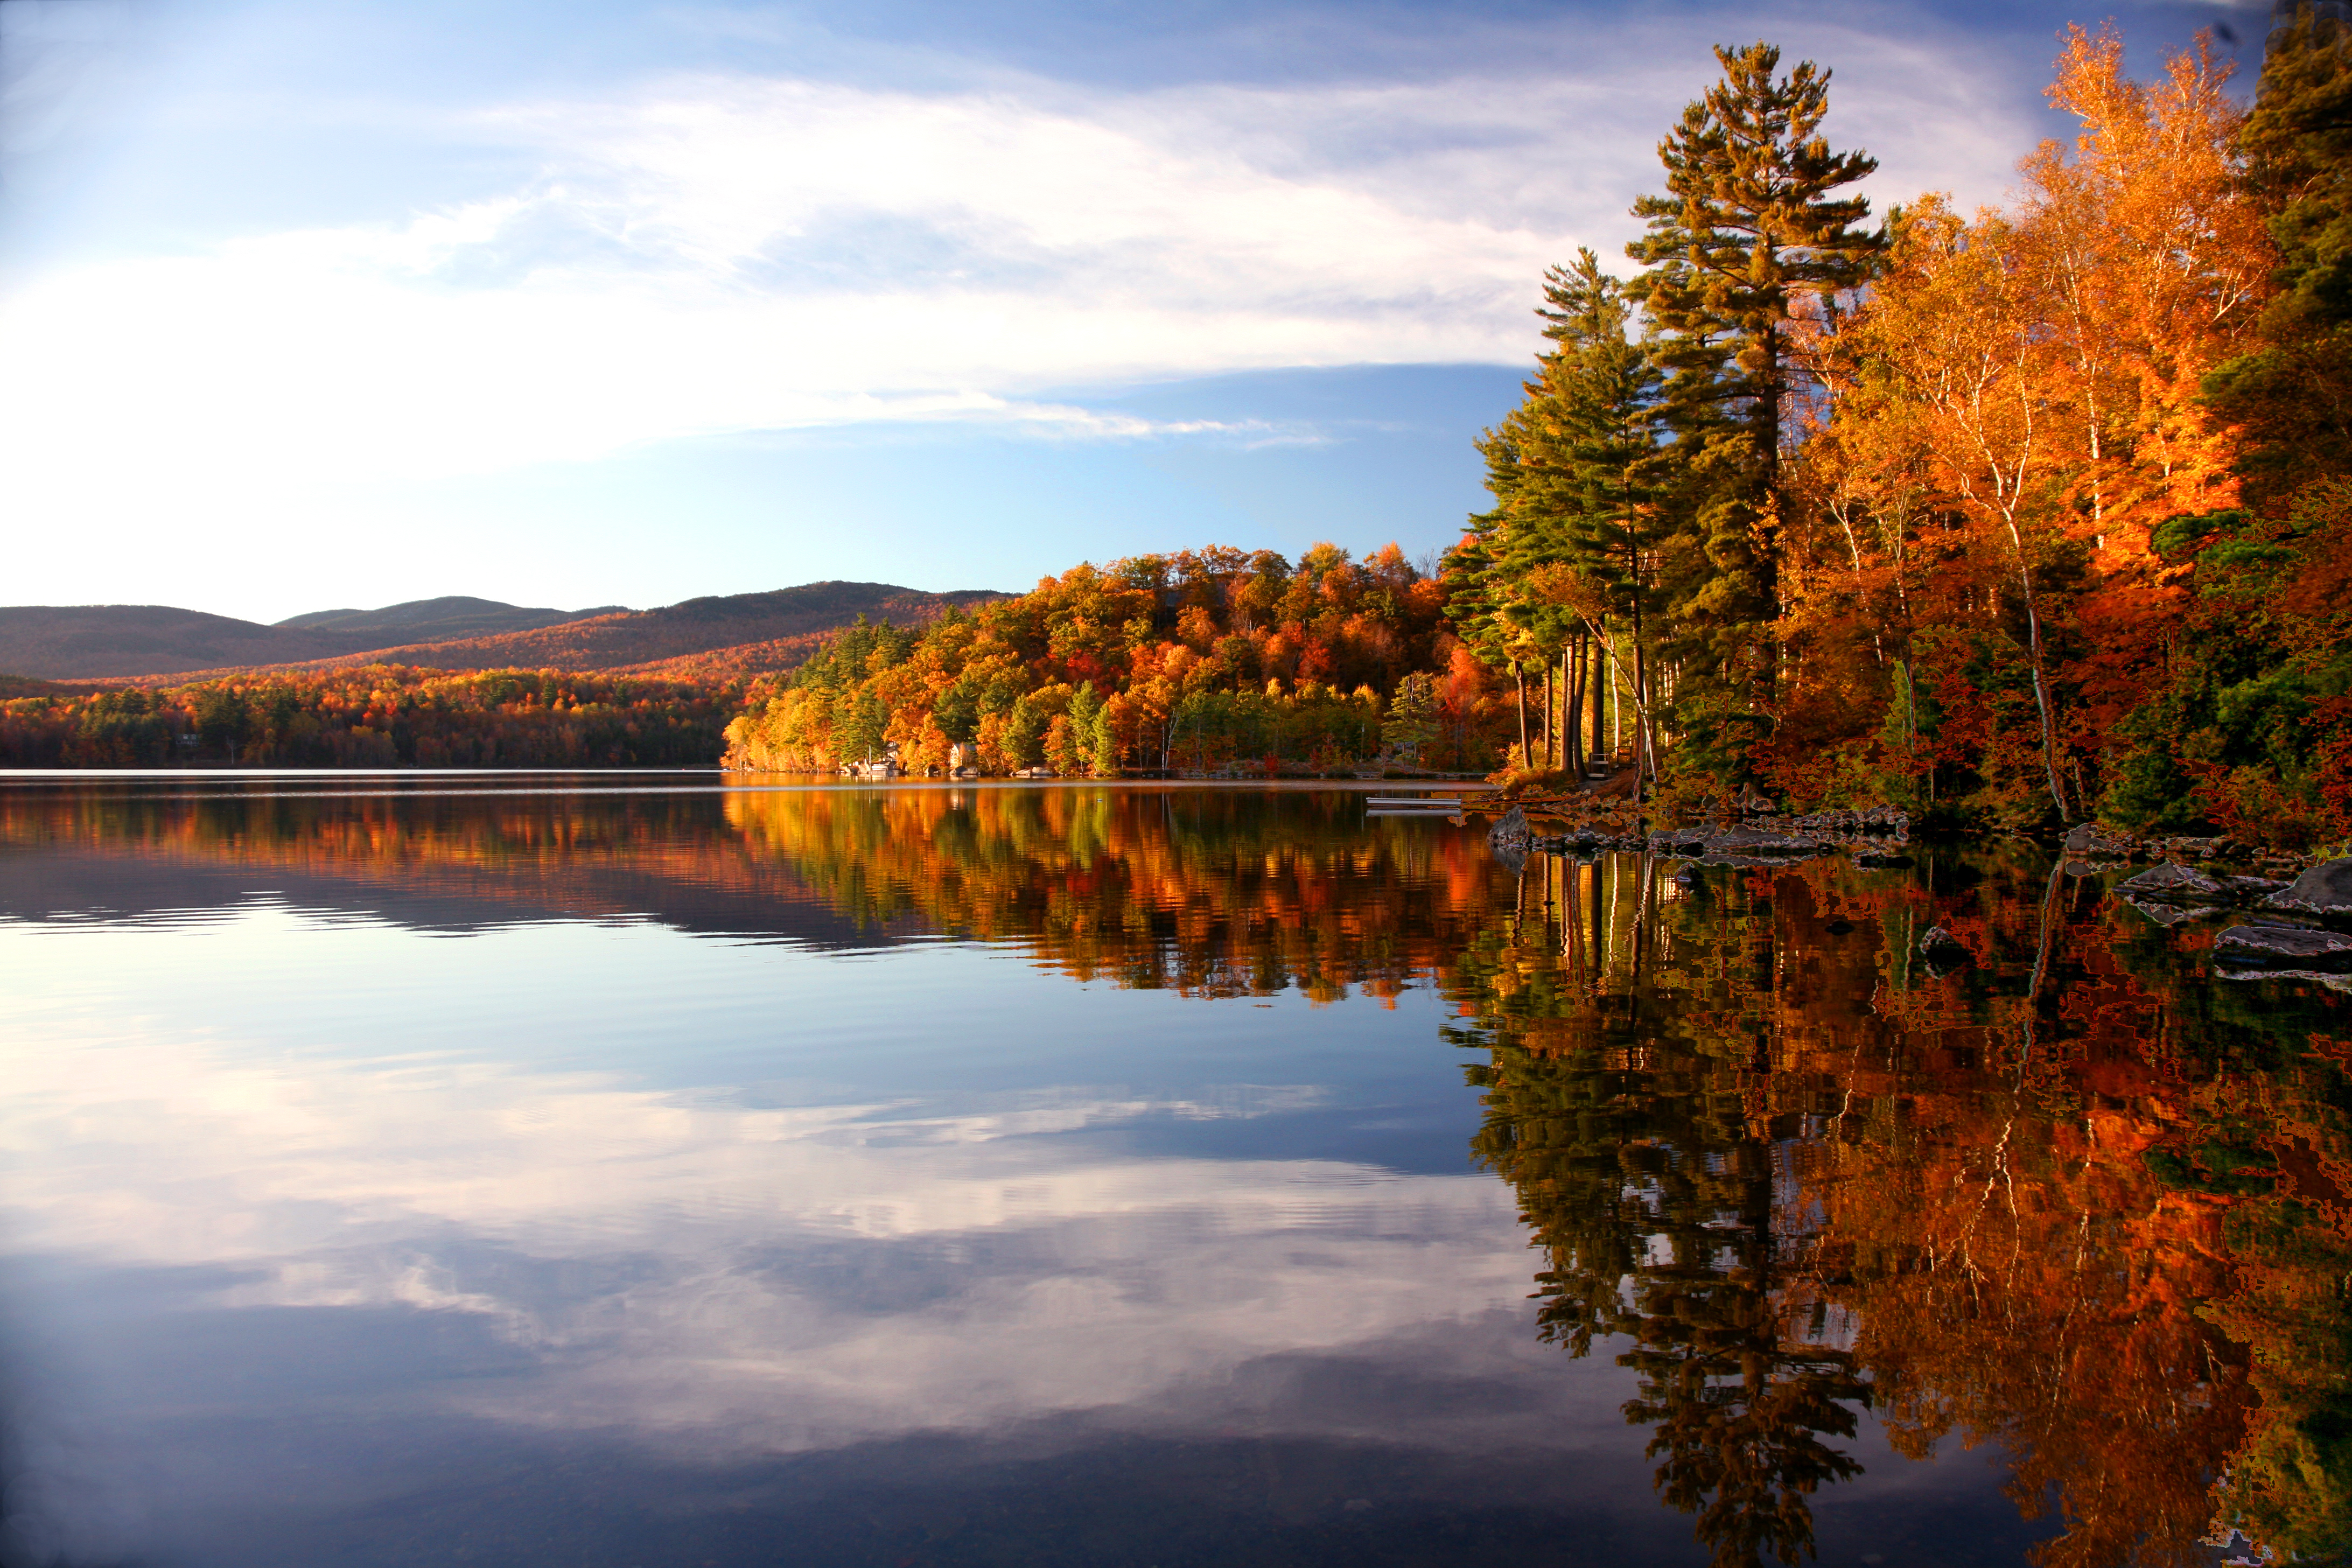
x=723, y=253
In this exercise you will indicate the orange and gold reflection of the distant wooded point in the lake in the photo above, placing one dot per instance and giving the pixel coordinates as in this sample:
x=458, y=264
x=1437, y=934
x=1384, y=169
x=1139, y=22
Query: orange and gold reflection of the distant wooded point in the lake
x=1203, y=892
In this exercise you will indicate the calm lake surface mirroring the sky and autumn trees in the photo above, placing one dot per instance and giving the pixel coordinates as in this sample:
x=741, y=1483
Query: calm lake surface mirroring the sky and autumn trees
x=655, y=1170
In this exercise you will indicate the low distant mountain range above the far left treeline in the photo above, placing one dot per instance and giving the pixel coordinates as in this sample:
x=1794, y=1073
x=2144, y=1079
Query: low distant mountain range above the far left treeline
x=714, y=636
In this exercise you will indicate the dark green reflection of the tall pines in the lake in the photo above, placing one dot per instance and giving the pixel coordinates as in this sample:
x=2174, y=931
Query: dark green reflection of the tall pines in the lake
x=1655, y=1207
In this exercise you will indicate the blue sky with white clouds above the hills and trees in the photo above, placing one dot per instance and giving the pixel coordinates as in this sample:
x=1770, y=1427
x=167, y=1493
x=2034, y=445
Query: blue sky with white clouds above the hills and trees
x=316, y=304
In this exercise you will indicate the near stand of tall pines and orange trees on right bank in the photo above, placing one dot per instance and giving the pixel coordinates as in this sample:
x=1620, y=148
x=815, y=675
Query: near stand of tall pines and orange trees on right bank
x=2007, y=518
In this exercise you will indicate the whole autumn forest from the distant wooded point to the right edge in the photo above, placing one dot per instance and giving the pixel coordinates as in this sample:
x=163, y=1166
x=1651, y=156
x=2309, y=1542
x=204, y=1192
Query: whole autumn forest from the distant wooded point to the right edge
x=2005, y=518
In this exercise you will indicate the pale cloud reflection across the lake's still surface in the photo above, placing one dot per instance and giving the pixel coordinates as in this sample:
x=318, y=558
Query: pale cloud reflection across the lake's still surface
x=679, y=1264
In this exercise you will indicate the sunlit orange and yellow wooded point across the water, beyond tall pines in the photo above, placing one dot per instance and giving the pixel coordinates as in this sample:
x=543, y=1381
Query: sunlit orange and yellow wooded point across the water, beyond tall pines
x=1205, y=659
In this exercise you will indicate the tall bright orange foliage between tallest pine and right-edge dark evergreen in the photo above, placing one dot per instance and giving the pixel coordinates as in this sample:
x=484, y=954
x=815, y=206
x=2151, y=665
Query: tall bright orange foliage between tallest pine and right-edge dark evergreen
x=2019, y=403
